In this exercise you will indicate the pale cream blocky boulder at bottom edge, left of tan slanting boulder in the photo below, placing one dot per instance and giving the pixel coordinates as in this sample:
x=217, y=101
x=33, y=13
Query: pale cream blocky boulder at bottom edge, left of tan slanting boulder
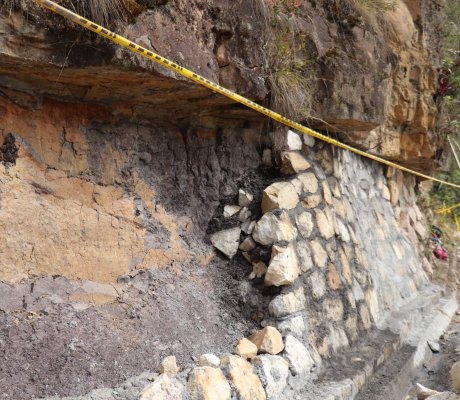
x=207, y=383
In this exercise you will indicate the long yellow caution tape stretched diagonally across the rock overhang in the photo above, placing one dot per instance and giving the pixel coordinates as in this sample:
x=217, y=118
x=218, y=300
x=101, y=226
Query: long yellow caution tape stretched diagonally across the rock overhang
x=217, y=88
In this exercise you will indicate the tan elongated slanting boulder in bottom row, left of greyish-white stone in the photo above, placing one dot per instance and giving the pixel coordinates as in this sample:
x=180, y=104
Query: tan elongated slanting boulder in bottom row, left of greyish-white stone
x=247, y=384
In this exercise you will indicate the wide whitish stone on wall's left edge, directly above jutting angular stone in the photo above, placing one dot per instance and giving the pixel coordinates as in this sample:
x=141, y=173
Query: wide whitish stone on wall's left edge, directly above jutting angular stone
x=272, y=229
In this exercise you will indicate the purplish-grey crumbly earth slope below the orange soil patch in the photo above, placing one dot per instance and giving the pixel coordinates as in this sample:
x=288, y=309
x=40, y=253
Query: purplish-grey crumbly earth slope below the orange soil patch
x=53, y=348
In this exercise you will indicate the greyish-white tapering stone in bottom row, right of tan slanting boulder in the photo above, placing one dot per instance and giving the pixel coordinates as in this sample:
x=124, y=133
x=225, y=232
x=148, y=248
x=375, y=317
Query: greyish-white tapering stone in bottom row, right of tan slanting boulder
x=273, y=372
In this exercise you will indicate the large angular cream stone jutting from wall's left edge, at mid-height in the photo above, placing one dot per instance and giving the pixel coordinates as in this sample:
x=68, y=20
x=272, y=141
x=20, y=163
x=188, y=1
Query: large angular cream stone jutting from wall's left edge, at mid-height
x=283, y=268
